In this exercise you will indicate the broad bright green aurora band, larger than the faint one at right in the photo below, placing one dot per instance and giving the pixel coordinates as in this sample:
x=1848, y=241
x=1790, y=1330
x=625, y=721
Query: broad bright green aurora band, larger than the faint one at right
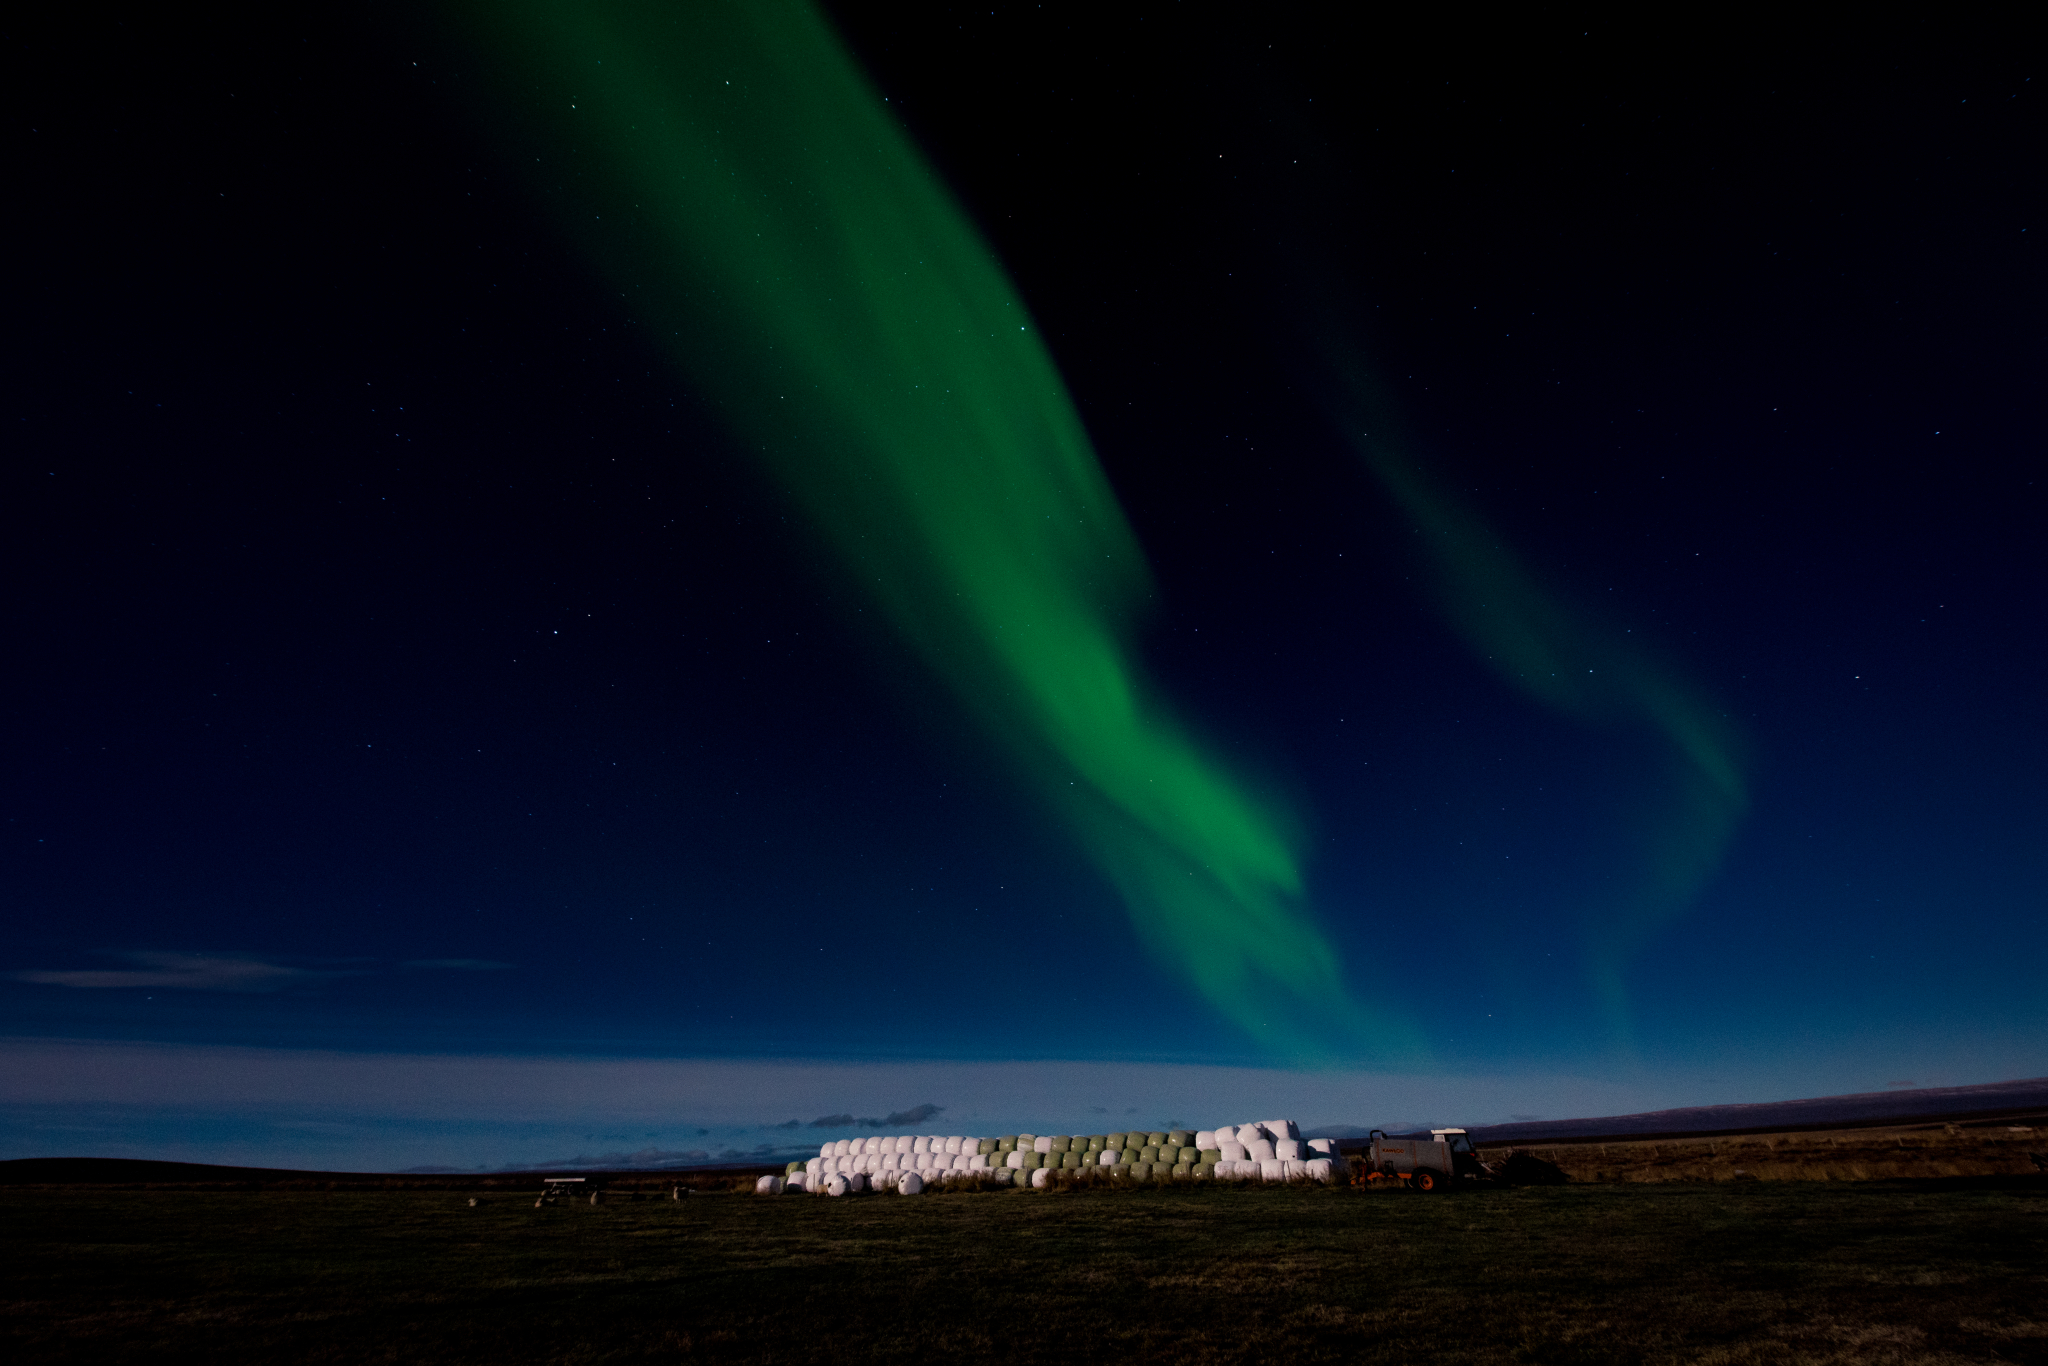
x=736, y=177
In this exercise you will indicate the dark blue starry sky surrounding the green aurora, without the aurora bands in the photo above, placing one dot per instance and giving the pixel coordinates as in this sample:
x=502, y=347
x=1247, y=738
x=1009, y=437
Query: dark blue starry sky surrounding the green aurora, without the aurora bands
x=404, y=660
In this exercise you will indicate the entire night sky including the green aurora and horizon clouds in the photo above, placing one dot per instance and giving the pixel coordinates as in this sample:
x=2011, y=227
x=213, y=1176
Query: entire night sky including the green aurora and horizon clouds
x=1566, y=503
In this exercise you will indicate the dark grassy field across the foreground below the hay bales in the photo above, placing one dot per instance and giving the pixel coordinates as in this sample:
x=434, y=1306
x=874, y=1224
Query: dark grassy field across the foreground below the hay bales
x=1768, y=1273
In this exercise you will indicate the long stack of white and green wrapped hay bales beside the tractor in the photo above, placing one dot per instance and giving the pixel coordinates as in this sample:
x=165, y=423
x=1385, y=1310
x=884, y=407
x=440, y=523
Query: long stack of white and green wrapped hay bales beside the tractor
x=1267, y=1152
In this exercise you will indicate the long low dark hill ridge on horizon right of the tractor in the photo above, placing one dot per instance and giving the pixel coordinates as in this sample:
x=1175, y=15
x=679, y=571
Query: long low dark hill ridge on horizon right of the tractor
x=1818, y=1113
